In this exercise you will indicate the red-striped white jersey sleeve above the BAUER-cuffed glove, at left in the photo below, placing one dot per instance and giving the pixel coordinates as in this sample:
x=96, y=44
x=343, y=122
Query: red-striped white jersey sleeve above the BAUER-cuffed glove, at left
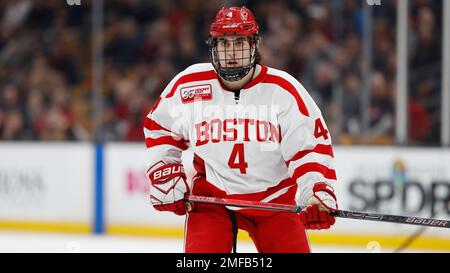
x=165, y=135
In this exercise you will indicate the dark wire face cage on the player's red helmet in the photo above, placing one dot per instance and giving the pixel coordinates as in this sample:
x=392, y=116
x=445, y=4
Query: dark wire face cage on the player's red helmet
x=242, y=48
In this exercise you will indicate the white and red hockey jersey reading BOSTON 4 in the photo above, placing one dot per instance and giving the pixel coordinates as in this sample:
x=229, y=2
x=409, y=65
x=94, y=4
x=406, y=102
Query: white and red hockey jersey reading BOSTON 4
x=269, y=143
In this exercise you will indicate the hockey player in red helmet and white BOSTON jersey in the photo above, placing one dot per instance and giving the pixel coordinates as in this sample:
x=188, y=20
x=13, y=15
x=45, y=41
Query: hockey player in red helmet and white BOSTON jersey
x=256, y=134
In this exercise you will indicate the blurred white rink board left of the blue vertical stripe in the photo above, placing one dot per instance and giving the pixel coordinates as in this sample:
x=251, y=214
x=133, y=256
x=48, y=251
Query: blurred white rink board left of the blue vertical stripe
x=46, y=182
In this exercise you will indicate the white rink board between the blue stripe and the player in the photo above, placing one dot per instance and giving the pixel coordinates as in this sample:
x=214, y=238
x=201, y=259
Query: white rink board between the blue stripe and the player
x=126, y=187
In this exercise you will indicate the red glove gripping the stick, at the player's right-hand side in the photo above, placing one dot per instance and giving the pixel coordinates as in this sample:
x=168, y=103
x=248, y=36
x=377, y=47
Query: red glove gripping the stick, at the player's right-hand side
x=316, y=213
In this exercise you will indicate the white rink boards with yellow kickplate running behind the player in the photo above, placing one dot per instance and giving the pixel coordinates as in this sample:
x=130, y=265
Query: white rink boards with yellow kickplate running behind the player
x=83, y=188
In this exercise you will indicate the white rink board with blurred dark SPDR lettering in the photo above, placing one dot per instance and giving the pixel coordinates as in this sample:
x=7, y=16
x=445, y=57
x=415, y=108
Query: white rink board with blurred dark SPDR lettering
x=370, y=171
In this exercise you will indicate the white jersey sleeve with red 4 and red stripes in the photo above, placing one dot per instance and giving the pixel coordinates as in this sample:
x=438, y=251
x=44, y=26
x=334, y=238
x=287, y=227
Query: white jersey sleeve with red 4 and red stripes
x=306, y=143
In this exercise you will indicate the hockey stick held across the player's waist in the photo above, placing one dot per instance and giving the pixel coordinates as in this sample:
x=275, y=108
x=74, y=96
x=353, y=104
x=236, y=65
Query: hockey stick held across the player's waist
x=340, y=213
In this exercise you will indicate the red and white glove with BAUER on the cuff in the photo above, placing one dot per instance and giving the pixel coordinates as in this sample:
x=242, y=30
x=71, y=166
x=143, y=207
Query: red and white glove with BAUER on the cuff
x=167, y=188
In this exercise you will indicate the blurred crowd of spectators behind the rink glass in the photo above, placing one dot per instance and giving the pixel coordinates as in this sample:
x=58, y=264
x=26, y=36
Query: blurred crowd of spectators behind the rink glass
x=46, y=63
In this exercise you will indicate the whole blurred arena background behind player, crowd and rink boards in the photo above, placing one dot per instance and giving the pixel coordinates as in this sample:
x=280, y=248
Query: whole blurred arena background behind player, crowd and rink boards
x=77, y=79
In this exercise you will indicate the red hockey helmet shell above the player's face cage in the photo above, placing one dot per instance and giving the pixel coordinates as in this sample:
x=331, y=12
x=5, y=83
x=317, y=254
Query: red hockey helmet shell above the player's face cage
x=234, y=21
